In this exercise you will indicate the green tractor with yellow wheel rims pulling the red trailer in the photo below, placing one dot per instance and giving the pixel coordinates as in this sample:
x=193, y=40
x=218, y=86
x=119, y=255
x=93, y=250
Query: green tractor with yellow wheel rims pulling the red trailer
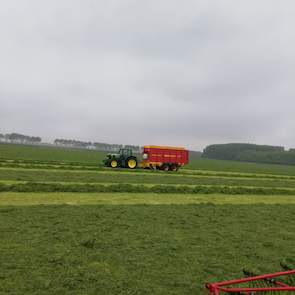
x=124, y=158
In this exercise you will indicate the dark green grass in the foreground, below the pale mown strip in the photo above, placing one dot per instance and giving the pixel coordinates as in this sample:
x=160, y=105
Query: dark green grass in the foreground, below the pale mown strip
x=138, y=249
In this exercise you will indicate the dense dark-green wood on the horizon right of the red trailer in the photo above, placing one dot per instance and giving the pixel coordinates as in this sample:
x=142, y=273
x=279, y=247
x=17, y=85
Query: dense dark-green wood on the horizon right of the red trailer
x=250, y=153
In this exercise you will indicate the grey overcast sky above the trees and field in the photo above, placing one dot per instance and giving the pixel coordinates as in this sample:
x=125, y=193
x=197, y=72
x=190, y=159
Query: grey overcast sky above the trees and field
x=186, y=73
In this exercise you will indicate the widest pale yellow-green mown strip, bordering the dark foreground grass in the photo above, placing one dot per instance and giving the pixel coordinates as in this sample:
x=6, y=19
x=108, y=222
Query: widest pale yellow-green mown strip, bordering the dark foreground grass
x=32, y=199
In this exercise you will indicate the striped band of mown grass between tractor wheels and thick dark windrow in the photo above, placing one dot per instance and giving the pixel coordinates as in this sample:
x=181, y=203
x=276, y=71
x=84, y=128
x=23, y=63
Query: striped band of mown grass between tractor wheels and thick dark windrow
x=147, y=178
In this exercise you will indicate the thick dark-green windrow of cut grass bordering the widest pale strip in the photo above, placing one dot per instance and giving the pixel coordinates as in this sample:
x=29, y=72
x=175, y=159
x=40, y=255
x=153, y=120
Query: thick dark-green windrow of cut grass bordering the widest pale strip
x=130, y=188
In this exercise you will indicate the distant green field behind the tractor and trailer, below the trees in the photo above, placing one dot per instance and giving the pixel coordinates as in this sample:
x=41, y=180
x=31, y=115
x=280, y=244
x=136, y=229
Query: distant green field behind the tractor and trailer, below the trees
x=87, y=157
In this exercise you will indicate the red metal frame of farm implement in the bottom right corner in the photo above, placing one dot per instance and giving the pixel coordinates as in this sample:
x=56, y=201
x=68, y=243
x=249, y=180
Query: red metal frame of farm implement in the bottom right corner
x=240, y=286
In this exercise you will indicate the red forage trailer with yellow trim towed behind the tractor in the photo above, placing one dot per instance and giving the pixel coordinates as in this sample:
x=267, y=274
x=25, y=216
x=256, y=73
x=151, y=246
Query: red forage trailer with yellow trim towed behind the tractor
x=164, y=157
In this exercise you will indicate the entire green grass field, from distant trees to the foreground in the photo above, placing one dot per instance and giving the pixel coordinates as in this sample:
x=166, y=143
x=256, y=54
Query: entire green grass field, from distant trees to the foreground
x=70, y=226
